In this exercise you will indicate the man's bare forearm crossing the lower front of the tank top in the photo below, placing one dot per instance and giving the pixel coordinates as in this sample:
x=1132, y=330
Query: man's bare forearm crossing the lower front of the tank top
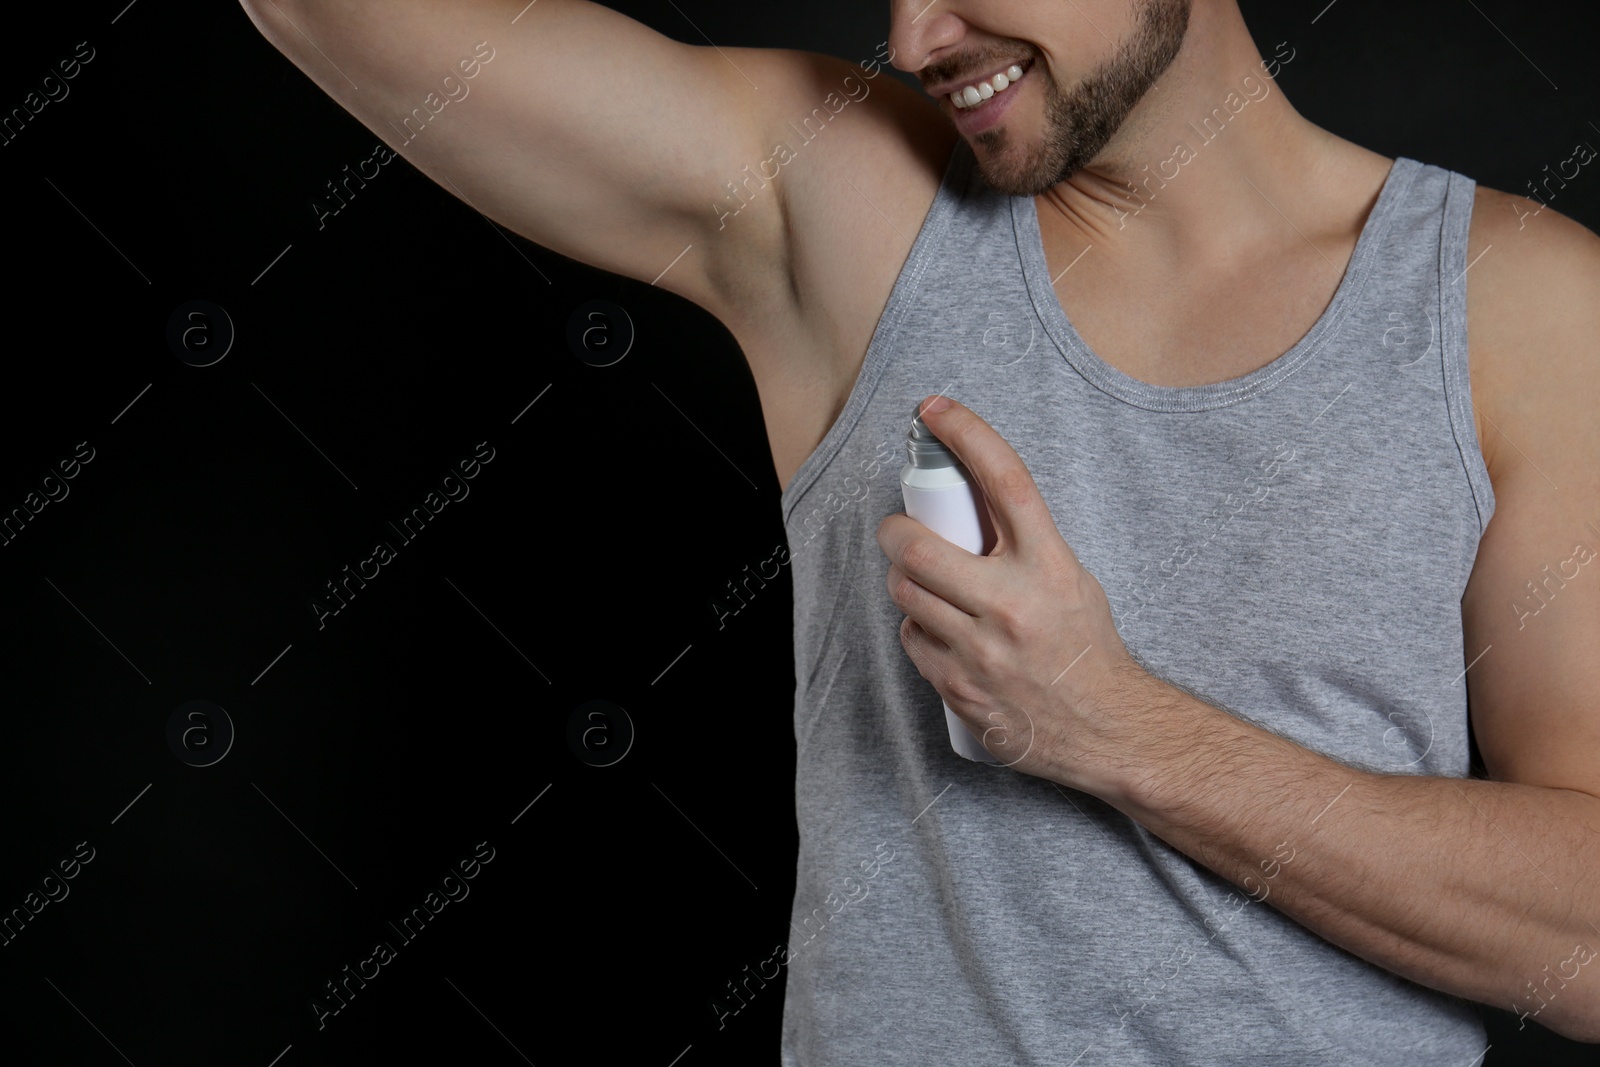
x=1474, y=889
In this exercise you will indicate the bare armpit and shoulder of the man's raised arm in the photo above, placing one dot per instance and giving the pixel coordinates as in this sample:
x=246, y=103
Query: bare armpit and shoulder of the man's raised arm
x=850, y=164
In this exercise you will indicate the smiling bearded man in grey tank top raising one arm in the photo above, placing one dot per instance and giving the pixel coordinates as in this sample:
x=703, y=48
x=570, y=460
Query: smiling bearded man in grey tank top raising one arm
x=1241, y=473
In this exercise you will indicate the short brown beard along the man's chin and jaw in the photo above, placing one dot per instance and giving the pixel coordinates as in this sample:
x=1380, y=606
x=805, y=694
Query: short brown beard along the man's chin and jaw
x=1079, y=124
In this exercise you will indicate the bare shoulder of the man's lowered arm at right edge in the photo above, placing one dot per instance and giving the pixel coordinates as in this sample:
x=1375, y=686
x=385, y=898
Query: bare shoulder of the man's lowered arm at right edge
x=1534, y=319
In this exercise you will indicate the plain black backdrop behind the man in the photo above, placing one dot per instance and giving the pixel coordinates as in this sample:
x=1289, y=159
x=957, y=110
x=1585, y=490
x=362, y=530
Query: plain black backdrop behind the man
x=433, y=711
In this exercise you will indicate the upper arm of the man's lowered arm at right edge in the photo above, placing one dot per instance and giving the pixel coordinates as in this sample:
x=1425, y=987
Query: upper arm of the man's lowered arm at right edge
x=1532, y=609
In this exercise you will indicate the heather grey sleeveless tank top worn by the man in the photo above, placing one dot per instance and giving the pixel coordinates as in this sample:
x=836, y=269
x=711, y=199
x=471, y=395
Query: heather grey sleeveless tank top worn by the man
x=1292, y=545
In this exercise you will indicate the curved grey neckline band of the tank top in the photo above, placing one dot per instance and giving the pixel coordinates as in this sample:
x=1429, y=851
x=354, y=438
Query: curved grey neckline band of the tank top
x=1142, y=394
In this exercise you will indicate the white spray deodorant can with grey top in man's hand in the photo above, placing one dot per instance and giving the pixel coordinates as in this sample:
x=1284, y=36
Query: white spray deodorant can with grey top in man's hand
x=943, y=497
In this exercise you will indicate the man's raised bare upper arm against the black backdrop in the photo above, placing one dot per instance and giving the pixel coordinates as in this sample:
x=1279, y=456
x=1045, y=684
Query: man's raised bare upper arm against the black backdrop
x=574, y=126
